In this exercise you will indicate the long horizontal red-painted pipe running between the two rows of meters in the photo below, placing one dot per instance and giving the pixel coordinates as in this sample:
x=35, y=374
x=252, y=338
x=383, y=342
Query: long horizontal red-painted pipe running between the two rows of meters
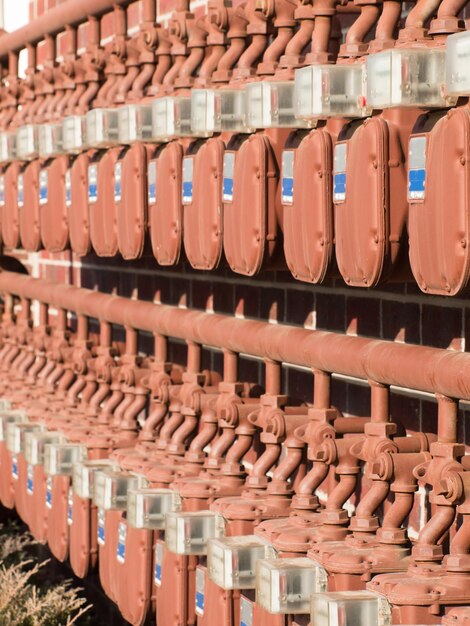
x=432, y=370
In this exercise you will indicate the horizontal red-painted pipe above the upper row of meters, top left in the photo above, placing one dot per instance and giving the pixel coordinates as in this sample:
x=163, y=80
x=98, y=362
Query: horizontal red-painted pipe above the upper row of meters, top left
x=71, y=13
